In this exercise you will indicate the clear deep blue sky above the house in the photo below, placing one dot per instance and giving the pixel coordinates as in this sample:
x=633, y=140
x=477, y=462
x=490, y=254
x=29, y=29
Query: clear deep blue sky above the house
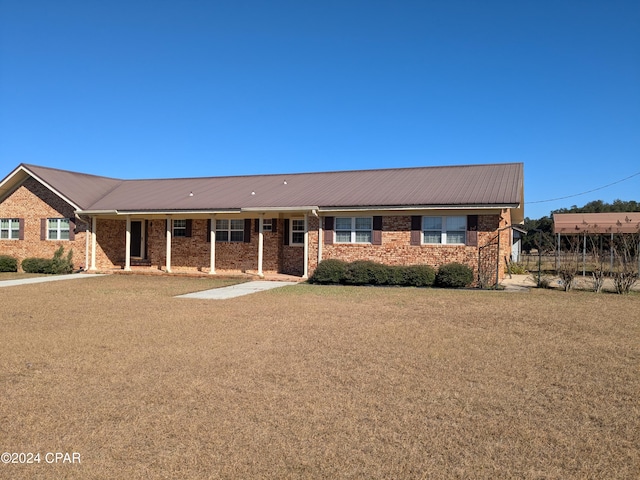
x=184, y=88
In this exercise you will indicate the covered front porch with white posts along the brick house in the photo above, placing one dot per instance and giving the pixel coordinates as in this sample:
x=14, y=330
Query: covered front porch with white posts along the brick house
x=205, y=245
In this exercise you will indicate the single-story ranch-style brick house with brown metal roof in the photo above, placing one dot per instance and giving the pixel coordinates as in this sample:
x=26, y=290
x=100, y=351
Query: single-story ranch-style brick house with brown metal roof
x=260, y=224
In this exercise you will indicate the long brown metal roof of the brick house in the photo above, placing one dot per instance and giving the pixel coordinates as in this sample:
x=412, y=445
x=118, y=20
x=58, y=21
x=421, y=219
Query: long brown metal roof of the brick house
x=499, y=185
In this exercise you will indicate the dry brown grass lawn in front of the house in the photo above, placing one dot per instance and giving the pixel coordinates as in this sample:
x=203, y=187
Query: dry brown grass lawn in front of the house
x=318, y=382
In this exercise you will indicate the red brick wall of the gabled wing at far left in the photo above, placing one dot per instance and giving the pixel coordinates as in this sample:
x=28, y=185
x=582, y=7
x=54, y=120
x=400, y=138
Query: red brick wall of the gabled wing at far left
x=33, y=202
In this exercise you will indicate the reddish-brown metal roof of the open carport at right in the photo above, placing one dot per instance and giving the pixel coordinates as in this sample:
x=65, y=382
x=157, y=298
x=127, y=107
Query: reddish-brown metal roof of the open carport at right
x=614, y=222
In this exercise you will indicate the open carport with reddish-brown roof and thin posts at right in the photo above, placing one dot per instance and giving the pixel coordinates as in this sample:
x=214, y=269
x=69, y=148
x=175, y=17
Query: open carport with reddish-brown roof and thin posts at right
x=626, y=225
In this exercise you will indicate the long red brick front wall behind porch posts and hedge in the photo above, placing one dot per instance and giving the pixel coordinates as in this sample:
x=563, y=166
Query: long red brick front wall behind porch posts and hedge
x=192, y=253
